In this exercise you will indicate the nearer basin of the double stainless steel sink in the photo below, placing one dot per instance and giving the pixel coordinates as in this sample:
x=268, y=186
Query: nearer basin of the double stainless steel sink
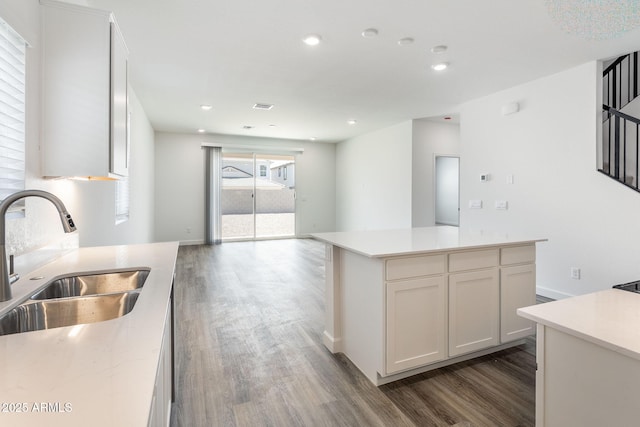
x=56, y=313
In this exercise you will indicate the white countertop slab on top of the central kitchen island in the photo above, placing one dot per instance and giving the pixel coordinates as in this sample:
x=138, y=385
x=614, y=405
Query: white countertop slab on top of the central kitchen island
x=384, y=243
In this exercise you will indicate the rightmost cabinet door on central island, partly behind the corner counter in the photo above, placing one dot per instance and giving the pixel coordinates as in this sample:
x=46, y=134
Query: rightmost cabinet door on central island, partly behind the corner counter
x=517, y=289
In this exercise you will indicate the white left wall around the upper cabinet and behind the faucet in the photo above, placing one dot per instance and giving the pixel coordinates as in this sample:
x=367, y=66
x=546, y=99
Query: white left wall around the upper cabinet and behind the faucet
x=90, y=203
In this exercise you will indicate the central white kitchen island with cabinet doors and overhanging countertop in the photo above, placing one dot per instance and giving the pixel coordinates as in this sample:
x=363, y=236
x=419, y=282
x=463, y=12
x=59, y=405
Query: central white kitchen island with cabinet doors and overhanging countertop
x=401, y=302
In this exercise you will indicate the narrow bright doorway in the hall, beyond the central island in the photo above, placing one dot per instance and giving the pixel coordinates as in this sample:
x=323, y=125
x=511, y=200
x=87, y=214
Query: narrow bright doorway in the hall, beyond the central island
x=447, y=198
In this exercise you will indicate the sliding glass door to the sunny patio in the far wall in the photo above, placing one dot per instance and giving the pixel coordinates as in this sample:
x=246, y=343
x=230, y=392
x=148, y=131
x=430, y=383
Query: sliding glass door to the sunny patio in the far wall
x=258, y=196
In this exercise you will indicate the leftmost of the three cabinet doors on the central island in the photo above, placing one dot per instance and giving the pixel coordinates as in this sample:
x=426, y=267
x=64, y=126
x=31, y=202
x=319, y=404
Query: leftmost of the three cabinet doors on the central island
x=416, y=328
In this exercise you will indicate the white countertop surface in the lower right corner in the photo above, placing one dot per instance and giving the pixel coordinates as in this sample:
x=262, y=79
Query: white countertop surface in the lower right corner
x=609, y=318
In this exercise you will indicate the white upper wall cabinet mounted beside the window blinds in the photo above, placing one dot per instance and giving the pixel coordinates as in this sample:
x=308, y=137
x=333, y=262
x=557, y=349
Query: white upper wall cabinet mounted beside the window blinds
x=85, y=99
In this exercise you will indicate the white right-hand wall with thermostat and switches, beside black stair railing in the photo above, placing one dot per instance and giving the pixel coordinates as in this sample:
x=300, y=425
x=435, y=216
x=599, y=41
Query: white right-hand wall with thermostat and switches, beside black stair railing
x=550, y=149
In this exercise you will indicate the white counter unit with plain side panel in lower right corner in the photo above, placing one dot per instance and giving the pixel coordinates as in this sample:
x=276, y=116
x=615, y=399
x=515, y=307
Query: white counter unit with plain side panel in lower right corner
x=588, y=358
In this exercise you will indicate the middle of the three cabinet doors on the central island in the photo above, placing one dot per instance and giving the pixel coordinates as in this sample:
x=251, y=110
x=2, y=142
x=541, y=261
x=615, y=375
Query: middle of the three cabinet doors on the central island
x=473, y=311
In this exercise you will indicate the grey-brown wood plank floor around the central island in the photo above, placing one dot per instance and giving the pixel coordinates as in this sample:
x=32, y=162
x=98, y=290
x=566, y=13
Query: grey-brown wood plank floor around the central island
x=249, y=352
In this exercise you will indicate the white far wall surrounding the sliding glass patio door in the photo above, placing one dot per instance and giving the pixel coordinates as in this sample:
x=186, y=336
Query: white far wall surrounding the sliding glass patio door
x=180, y=189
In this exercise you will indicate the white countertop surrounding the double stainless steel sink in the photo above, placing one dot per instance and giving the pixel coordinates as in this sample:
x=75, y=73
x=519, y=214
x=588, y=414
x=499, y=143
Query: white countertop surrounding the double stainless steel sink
x=105, y=374
